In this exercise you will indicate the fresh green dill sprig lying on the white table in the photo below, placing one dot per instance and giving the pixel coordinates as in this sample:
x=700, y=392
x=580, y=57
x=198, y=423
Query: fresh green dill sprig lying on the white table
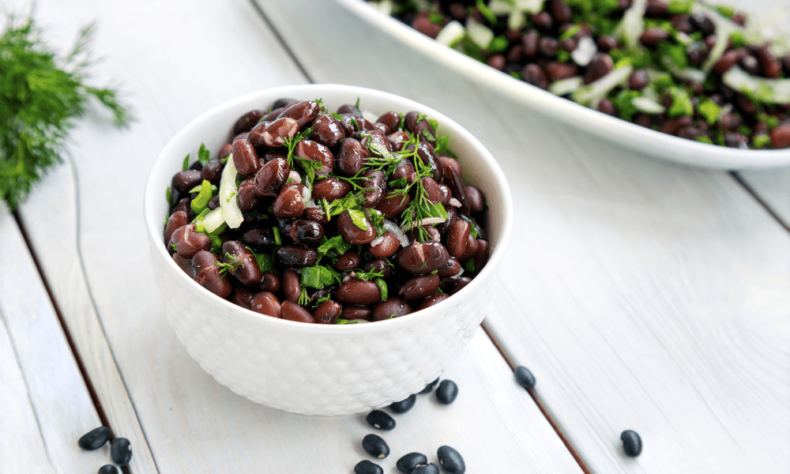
x=40, y=96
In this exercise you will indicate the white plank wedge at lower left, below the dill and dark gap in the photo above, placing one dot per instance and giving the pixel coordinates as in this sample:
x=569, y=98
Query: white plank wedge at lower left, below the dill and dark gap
x=57, y=394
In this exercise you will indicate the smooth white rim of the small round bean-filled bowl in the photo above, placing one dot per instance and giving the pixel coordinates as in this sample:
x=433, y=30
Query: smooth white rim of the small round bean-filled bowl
x=159, y=251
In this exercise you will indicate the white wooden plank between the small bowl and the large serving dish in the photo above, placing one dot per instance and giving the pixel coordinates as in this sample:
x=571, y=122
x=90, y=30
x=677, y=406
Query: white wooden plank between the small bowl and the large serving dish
x=643, y=295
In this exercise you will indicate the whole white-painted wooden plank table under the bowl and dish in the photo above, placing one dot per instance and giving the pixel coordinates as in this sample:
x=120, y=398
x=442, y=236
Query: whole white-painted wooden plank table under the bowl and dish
x=643, y=296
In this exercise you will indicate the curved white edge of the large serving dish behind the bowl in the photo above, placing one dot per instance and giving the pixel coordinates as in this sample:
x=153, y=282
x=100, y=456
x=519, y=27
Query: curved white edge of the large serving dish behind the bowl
x=640, y=140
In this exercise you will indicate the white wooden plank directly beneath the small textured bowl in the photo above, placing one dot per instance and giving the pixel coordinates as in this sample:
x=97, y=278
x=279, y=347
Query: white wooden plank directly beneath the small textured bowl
x=191, y=422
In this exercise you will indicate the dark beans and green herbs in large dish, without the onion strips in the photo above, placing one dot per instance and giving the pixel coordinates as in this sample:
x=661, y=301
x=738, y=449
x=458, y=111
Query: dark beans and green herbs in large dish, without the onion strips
x=539, y=54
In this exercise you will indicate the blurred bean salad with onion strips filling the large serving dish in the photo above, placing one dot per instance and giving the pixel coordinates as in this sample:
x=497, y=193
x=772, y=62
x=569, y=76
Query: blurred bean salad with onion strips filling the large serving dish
x=682, y=67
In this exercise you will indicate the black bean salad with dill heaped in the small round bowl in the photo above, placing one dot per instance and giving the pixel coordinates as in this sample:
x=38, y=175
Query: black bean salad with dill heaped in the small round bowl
x=329, y=218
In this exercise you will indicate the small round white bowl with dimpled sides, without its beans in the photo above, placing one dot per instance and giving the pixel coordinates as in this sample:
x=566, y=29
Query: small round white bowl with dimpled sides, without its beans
x=321, y=369
